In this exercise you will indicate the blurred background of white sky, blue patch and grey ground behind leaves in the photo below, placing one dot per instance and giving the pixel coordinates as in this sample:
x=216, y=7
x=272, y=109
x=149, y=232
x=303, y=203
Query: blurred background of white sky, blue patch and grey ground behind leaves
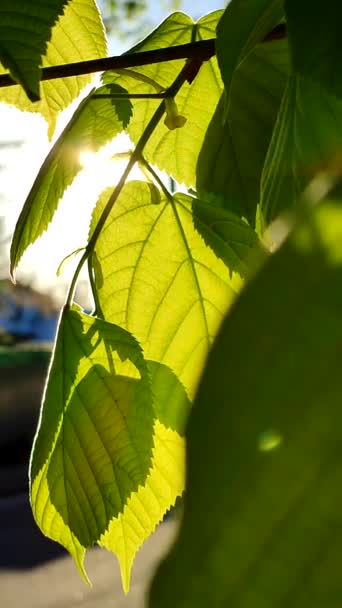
x=35, y=572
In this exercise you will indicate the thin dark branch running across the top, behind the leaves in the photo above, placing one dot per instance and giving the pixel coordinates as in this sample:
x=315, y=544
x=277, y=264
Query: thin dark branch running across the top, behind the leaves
x=201, y=50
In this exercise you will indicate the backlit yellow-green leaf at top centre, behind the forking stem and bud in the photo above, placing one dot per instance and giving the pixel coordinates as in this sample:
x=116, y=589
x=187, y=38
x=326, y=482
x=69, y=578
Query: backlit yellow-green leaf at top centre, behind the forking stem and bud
x=175, y=151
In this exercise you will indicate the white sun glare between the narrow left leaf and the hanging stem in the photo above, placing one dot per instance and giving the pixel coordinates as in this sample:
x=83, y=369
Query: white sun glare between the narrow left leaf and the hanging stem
x=69, y=228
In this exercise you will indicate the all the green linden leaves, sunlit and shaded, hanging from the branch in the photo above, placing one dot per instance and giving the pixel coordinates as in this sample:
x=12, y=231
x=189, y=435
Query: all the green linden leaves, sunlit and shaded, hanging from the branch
x=202, y=334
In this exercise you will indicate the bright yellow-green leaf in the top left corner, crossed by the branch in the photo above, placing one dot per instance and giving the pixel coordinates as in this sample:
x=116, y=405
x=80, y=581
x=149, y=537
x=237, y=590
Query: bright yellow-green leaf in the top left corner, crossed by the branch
x=77, y=36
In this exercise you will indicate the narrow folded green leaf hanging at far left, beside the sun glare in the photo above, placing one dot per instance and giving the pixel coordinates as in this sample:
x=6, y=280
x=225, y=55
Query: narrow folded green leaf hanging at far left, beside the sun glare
x=96, y=121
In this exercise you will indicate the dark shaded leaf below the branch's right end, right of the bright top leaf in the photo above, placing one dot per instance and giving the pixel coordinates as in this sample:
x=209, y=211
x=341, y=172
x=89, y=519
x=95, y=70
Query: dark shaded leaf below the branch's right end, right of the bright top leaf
x=233, y=153
